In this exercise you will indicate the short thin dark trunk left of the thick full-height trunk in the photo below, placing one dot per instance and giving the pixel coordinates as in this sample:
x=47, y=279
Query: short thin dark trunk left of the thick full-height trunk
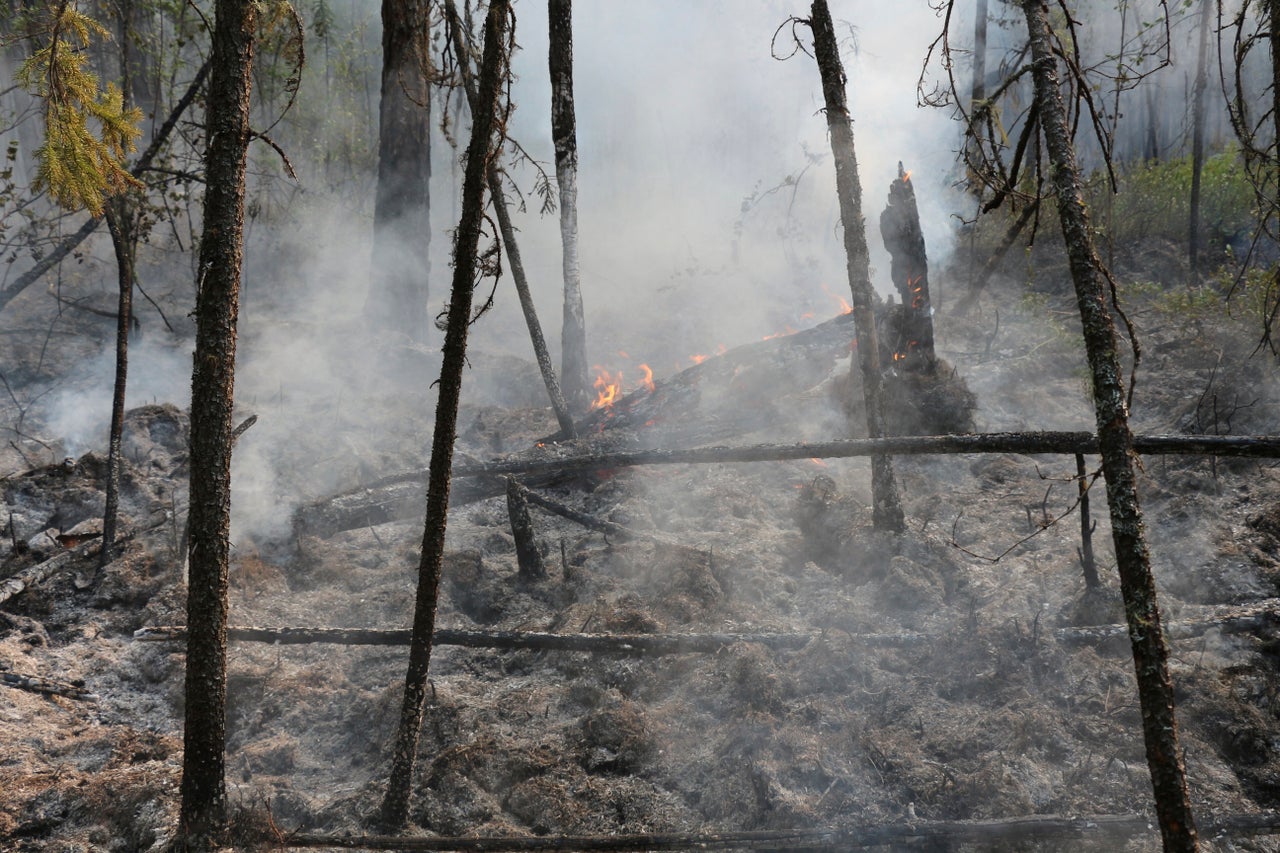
x=122, y=227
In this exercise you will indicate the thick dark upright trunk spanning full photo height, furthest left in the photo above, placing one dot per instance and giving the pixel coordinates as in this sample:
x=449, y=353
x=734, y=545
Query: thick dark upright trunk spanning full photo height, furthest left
x=204, y=787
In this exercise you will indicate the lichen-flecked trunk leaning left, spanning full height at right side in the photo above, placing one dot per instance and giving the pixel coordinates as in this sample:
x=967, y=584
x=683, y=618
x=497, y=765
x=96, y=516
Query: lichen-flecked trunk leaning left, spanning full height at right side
x=1116, y=443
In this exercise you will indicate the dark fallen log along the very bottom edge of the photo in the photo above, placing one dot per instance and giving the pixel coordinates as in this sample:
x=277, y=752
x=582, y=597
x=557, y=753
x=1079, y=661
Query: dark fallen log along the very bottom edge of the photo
x=1037, y=828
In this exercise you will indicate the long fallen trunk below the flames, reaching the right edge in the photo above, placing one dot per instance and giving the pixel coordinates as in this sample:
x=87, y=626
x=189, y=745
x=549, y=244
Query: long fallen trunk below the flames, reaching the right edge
x=400, y=496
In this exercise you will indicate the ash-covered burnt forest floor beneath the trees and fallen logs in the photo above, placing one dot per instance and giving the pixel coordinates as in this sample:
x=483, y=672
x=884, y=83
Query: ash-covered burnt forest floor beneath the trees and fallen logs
x=989, y=717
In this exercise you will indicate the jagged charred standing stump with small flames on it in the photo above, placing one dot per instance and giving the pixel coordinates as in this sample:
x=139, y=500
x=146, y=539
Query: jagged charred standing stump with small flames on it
x=909, y=270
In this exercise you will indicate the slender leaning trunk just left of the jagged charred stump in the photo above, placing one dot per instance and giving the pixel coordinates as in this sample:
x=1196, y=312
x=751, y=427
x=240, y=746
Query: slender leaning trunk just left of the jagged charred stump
x=888, y=509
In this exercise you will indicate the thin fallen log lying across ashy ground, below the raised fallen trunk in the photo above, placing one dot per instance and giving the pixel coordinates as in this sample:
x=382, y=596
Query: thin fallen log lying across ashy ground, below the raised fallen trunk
x=1236, y=621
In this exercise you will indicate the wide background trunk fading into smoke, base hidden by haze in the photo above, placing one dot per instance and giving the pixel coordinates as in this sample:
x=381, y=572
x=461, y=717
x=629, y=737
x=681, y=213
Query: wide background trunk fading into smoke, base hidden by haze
x=403, y=229
